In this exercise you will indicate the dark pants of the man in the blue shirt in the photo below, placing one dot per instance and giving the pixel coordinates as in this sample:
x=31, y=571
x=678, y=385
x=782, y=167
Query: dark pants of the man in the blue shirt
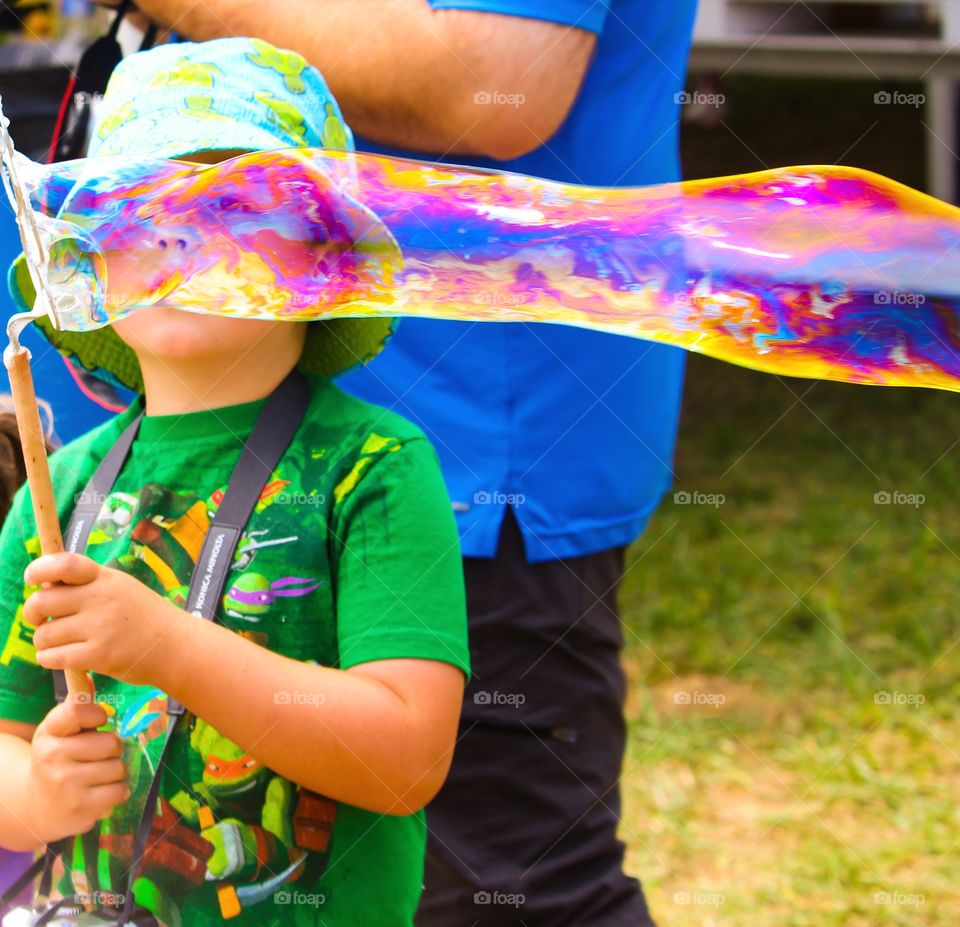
x=524, y=831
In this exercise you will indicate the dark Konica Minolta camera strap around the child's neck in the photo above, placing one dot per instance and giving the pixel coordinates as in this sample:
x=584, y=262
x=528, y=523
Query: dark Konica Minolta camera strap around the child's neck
x=271, y=436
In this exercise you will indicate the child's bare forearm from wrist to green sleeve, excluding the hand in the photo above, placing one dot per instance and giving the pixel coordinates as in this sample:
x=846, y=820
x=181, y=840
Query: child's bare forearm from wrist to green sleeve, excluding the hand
x=379, y=735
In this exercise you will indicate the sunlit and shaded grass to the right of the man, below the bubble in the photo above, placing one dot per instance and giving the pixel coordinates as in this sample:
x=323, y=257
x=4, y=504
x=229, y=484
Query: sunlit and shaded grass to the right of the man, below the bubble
x=793, y=655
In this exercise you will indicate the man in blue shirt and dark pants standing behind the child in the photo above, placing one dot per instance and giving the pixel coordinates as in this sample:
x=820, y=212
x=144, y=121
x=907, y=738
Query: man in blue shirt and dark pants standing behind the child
x=556, y=443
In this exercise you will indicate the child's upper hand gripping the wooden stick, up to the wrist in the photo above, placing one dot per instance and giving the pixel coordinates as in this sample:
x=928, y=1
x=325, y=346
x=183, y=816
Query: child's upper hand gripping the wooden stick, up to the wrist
x=105, y=621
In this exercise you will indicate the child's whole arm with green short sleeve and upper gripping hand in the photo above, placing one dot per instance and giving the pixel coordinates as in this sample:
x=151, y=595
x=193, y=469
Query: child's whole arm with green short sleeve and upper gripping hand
x=378, y=734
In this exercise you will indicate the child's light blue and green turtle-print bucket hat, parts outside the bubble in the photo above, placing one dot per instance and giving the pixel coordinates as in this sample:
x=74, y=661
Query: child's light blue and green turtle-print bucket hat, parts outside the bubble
x=228, y=95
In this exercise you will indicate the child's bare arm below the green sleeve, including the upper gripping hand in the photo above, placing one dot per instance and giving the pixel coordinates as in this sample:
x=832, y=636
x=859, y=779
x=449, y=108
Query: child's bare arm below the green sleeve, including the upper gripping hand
x=378, y=735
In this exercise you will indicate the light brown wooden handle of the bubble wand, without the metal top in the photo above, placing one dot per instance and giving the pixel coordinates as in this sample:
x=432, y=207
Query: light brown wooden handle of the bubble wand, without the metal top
x=38, y=473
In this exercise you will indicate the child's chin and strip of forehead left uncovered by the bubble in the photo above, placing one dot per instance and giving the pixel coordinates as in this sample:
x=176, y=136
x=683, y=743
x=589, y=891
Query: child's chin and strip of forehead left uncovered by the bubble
x=177, y=335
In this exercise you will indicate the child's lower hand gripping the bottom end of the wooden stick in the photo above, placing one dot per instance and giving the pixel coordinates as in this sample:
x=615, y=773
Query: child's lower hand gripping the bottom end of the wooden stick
x=77, y=776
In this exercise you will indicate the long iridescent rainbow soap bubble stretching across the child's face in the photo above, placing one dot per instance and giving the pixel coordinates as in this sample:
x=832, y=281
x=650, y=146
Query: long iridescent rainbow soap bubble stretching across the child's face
x=826, y=272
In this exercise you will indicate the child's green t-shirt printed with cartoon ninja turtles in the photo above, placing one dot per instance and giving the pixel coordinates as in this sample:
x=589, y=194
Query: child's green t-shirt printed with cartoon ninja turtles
x=351, y=555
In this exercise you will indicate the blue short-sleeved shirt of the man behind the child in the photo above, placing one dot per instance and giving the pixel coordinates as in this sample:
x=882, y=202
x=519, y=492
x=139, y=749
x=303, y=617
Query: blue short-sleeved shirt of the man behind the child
x=574, y=429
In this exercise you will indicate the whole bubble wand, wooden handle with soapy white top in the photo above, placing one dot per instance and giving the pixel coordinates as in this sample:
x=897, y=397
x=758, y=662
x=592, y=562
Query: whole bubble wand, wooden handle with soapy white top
x=16, y=358
